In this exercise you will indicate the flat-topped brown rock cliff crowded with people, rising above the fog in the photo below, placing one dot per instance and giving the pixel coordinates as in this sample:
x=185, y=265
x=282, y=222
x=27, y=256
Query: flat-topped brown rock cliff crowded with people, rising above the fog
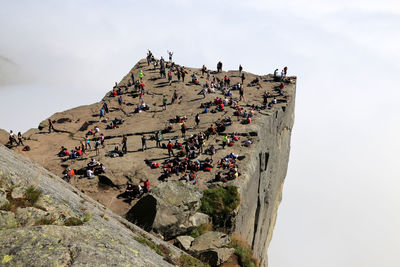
x=177, y=208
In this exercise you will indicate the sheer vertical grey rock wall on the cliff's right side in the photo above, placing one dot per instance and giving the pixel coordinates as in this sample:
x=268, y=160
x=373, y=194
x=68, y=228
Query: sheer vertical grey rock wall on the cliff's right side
x=264, y=174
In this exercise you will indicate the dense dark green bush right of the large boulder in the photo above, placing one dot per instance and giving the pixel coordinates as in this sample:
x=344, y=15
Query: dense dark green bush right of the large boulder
x=220, y=202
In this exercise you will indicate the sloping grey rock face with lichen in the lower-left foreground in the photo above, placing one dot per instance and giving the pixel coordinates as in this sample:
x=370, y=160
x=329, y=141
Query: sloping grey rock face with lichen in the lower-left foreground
x=97, y=238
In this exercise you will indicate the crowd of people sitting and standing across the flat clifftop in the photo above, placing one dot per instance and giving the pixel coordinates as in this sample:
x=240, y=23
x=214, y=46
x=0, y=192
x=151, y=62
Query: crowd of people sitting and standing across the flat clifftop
x=188, y=155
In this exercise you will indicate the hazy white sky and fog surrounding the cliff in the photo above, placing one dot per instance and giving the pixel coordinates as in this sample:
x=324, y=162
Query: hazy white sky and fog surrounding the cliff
x=341, y=198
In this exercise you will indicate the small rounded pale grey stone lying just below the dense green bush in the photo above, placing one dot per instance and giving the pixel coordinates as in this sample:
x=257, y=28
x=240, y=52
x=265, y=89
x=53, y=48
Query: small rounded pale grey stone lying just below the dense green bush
x=210, y=240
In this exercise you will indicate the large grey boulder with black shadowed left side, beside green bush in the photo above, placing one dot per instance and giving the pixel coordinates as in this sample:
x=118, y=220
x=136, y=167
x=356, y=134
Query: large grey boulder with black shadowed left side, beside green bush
x=167, y=208
